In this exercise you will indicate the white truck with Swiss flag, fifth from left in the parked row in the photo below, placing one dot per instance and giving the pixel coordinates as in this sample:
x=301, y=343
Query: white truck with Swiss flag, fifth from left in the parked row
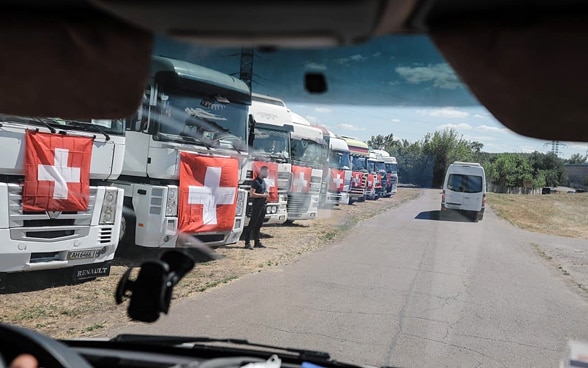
x=336, y=172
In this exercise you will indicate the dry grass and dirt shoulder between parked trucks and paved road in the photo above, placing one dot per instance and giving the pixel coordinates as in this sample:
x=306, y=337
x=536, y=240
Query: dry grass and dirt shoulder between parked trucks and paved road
x=88, y=309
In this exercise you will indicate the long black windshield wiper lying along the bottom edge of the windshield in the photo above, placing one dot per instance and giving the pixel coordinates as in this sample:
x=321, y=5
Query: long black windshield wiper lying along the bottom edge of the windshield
x=178, y=340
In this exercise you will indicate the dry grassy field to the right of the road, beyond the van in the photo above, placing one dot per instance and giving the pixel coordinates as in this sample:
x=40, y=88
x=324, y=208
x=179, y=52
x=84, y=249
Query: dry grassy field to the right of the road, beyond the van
x=554, y=214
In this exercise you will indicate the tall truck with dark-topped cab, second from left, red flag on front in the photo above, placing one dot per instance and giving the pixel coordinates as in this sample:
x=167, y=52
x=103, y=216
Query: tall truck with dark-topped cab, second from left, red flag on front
x=184, y=152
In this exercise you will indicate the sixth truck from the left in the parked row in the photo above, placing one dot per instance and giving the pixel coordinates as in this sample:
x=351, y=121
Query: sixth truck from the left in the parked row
x=359, y=177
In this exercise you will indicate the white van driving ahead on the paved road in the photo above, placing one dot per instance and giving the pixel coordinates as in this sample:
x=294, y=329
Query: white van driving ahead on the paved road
x=464, y=189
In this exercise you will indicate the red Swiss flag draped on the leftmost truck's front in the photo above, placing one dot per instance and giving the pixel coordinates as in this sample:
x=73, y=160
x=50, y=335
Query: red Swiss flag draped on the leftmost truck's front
x=57, y=172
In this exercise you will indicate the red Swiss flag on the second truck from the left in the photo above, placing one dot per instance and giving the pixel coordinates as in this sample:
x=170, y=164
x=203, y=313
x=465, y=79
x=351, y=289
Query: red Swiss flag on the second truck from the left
x=208, y=193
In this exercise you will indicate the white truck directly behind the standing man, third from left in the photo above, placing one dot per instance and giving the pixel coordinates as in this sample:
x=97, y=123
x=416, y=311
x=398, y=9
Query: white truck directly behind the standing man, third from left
x=270, y=146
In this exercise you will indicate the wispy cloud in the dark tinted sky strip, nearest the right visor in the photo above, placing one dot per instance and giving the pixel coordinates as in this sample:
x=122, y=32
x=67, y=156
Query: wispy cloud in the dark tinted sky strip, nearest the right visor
x=441, y=75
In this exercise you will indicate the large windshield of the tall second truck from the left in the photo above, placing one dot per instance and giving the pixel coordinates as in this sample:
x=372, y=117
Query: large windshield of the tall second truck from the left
x=203, y=118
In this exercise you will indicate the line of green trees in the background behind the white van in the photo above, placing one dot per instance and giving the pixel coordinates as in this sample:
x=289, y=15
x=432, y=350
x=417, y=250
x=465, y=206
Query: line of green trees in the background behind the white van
x=425, y=161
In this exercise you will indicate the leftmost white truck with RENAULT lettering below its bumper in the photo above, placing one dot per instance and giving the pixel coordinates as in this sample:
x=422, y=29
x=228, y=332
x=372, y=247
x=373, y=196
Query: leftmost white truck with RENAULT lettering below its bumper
x=59, y=212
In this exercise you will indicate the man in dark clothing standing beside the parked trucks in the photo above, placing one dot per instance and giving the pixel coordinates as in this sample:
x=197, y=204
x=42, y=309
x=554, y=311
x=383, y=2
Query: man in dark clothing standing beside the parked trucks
x=258, y=193
